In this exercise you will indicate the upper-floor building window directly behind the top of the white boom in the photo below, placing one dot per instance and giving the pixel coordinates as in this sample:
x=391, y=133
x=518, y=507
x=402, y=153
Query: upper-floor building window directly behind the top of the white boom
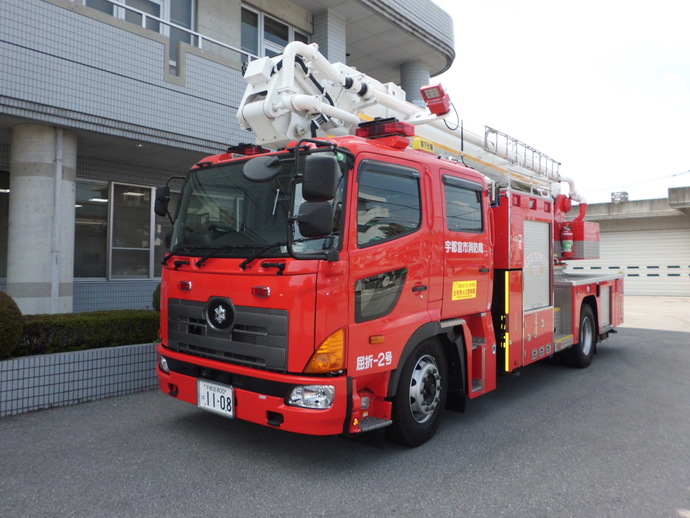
x=266, y=36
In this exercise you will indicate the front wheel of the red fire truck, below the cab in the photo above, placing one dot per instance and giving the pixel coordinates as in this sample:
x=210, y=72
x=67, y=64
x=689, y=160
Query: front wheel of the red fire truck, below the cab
x=421, y=396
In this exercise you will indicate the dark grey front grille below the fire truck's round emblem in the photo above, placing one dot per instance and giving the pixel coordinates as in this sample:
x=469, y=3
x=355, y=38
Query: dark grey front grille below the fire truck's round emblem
x=258, y=337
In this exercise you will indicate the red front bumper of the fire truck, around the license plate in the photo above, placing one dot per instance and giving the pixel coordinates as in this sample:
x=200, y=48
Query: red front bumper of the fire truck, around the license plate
x=259, y=395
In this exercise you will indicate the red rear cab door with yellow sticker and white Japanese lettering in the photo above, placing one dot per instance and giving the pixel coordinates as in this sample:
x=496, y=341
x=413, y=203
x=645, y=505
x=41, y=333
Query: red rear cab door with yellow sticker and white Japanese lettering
x=468, y=253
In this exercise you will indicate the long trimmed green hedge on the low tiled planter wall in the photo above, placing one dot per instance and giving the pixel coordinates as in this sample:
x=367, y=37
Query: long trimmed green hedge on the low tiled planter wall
x=78, y=331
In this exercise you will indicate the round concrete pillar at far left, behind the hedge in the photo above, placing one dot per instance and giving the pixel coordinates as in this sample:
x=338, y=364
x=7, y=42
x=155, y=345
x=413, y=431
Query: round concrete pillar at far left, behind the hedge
x=40, y=255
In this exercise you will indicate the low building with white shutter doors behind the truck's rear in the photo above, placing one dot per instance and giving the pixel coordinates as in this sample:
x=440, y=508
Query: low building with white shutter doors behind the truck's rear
x=647, y=240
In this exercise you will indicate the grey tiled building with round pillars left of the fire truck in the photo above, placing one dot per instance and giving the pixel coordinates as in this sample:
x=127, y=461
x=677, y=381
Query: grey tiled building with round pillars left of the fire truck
x=102, y=100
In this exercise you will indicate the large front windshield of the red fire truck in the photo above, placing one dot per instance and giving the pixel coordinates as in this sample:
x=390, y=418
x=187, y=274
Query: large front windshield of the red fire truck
x=222, y=211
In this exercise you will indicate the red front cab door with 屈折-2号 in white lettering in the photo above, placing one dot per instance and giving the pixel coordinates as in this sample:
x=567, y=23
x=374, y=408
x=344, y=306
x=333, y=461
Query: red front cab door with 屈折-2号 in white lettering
x=389, y=262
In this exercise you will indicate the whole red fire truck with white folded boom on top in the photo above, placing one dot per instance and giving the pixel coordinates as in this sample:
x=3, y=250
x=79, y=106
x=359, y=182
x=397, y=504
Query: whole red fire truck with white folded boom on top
x=379, y=267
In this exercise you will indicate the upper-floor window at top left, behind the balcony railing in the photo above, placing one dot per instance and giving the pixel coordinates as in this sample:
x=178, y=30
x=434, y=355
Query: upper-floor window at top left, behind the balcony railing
x=152, y=14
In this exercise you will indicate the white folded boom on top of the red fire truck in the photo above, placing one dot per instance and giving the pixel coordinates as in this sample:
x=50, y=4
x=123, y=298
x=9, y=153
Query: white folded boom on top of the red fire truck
x=301, y=94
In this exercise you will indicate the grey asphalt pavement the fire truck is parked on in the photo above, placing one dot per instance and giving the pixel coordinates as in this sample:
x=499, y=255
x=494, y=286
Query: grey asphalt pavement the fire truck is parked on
x=612, y=441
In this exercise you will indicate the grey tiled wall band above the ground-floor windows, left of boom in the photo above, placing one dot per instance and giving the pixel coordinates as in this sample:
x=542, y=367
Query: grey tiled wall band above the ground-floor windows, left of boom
x=86, y=72
